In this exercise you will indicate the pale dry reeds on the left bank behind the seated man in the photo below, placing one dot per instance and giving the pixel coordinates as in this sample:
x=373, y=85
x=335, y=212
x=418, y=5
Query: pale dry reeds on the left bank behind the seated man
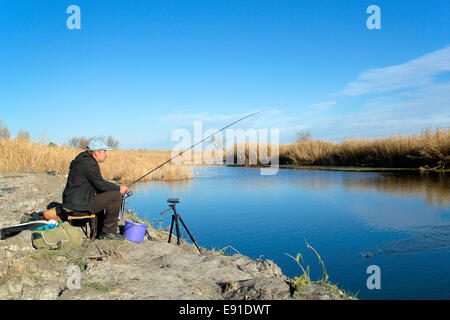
x=18, y=155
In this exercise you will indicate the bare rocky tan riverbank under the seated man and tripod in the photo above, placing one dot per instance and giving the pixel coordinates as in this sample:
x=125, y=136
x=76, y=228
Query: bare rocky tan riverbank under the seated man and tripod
x=153, y=269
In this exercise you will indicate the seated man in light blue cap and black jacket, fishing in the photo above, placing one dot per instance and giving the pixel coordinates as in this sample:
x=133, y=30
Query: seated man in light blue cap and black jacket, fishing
x=87, y=191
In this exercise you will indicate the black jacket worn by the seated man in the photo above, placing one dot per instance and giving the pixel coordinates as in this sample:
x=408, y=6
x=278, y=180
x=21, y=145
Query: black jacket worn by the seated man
x=84, y=181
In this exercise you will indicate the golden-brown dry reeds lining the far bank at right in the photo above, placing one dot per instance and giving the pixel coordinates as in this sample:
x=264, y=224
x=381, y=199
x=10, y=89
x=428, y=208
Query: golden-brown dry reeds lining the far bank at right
x=428, y=149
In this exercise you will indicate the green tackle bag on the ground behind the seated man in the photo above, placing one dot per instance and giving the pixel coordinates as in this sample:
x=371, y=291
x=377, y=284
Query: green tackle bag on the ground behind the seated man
x=64, y=236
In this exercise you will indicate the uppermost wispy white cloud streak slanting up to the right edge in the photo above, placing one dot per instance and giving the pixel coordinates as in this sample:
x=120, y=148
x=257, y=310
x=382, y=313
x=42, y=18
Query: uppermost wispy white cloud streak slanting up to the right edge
x=414, y=73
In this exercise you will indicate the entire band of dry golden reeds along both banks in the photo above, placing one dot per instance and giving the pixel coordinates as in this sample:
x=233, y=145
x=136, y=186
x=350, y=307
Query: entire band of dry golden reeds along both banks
x=423, y=152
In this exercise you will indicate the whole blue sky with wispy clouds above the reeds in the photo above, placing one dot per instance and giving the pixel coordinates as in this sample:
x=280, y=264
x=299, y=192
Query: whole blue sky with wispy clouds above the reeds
x=138, y=70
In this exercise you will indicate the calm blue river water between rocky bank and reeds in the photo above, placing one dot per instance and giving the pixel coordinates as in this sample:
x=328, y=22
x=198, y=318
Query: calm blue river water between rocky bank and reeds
x=401, y=221
